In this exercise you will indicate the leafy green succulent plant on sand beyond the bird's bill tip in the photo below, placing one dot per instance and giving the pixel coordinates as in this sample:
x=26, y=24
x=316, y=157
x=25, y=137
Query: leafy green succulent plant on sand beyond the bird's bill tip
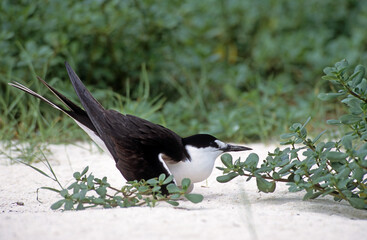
x=337, y=168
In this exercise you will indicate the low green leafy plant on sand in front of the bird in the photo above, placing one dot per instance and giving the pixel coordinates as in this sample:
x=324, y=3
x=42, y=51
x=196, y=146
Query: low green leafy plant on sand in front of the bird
x=88, y=191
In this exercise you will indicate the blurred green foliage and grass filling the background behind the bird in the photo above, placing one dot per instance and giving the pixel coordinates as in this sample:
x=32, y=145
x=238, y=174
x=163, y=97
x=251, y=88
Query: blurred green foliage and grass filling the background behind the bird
x=241, y=70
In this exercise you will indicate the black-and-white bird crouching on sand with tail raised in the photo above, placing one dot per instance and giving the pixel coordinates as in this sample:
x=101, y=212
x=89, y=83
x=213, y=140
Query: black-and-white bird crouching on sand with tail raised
x=141, y=149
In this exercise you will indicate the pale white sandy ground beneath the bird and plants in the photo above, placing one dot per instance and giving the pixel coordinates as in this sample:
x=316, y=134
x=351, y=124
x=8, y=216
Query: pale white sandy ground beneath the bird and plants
x=235, y=210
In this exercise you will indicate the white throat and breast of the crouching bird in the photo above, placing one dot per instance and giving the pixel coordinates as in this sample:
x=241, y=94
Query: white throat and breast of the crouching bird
x=199, y=168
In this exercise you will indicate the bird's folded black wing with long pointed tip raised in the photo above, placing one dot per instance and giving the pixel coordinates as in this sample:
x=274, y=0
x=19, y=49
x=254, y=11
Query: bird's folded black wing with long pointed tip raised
x=134, y=143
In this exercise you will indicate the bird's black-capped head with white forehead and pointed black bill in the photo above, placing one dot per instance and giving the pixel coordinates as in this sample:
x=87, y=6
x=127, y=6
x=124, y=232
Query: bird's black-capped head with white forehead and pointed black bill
x=207, y=147
